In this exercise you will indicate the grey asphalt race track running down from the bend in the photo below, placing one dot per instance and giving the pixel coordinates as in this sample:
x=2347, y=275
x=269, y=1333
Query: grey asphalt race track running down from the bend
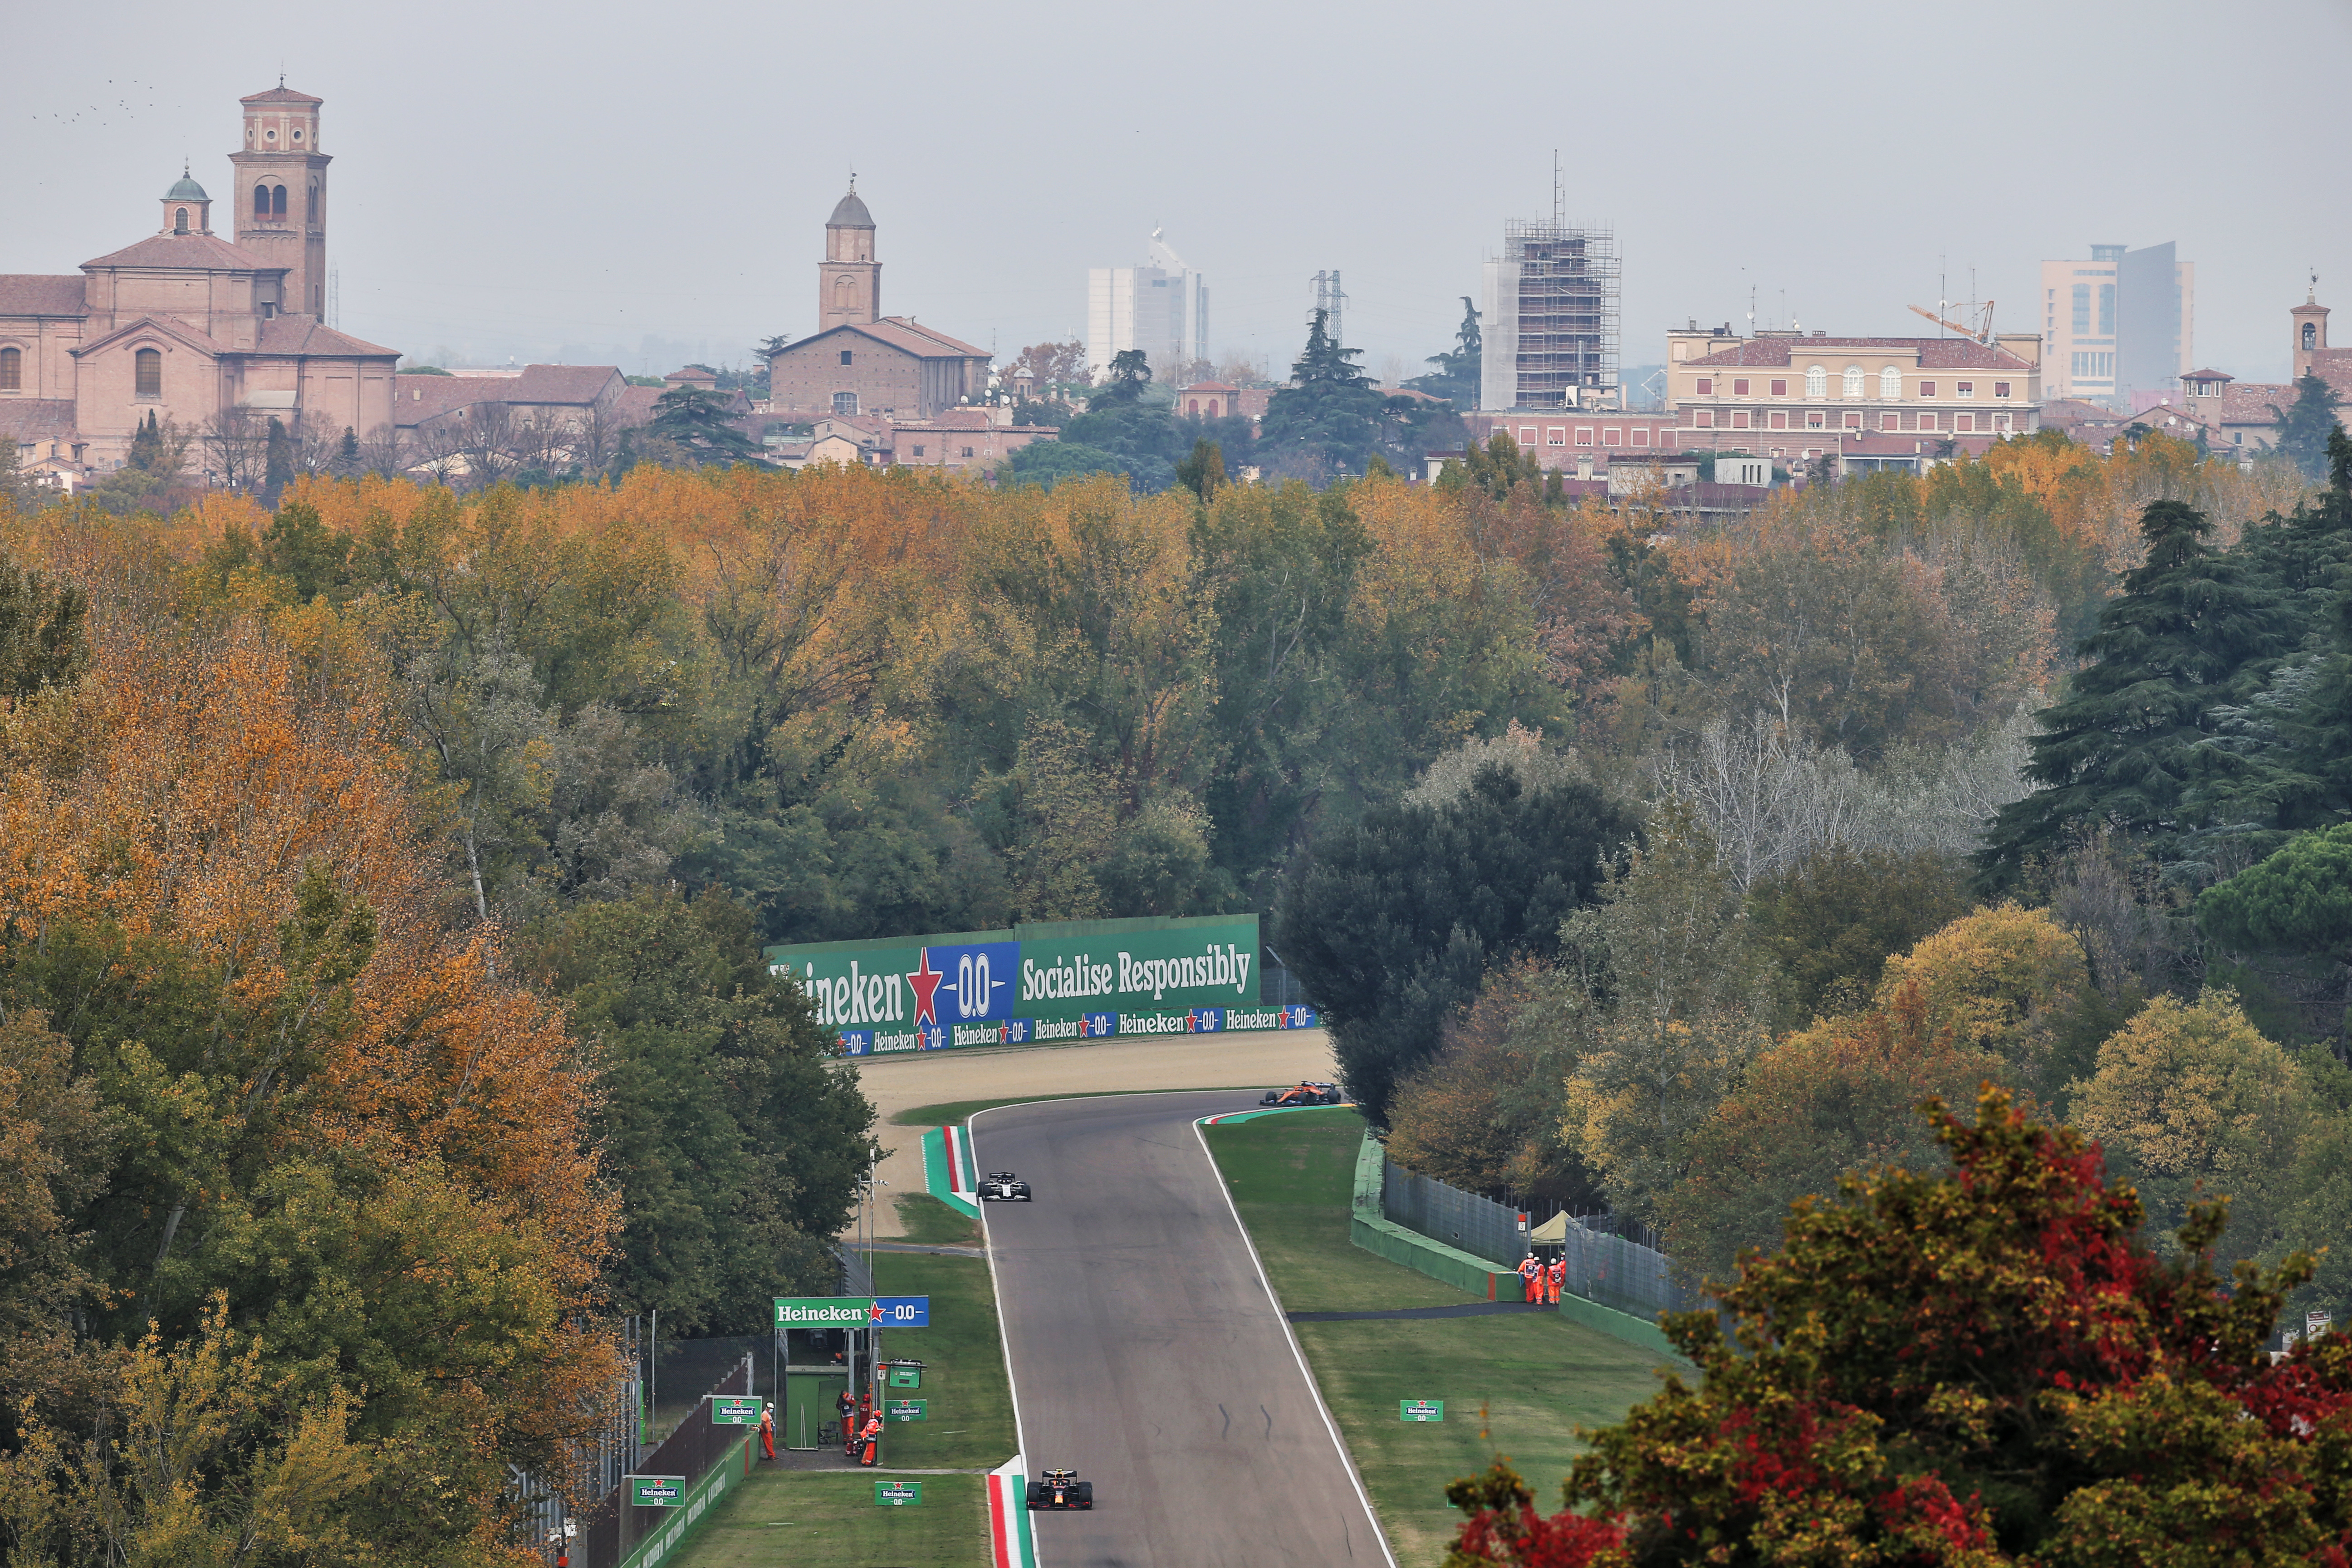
x=1149, y=1353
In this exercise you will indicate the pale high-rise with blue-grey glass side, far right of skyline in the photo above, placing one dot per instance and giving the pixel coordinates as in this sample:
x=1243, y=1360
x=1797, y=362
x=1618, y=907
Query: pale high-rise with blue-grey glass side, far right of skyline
x=2118, y=326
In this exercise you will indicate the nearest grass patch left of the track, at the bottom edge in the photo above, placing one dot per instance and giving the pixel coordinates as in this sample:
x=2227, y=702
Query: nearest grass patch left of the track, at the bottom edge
x=829, y=1520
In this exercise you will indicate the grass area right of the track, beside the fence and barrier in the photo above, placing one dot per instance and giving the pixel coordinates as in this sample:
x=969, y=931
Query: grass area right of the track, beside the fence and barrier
x=1537, y=1374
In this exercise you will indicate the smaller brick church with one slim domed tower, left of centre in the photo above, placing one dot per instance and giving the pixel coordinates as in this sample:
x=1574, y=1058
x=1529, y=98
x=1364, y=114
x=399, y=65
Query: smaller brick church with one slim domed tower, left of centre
x=864, y=363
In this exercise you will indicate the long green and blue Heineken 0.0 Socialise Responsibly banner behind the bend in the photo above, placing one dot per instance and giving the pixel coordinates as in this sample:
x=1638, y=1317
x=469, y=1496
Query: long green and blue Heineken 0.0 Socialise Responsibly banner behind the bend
x=1053, y=981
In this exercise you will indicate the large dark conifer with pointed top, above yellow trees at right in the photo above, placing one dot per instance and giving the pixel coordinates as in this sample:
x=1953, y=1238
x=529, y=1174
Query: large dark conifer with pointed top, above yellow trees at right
x=2193, y=629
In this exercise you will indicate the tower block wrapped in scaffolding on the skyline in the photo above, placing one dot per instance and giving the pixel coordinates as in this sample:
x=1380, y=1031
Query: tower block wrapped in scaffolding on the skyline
x=1551, y=321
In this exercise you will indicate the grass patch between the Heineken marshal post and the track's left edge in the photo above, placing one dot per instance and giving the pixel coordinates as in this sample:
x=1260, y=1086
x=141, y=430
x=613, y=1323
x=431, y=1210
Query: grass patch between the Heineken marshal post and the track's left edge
x=963, y=1379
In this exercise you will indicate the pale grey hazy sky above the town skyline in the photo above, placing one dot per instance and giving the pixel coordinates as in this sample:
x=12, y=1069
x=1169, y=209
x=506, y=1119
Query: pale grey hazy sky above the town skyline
x=516, y=180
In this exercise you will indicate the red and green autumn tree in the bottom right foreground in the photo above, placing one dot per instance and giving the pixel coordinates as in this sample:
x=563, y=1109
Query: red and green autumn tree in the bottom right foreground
x=1972, y=1367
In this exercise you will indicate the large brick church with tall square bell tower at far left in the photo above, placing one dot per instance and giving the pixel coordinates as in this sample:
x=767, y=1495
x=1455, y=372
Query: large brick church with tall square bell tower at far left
x=192, y=326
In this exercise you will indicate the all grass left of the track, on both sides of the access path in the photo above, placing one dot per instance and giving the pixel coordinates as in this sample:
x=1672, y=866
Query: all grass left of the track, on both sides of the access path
x=829, y=1517
